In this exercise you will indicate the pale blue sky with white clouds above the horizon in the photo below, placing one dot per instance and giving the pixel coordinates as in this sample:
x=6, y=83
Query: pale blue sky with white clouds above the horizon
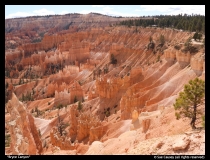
x=14, y=11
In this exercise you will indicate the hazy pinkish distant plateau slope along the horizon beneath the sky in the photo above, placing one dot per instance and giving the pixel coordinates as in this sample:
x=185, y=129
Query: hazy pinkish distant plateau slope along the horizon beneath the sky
x=60, y=21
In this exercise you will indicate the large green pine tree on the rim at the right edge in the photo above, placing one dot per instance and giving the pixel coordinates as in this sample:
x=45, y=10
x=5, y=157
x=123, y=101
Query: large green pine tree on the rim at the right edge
x=187, y=102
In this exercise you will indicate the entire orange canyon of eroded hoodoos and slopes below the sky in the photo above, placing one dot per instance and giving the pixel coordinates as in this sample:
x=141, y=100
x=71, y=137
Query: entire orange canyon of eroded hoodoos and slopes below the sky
x=65, y=96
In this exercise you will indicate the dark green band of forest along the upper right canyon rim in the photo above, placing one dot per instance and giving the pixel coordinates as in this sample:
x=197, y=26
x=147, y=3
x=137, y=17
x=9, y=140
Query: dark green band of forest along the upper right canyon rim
x=192, y=23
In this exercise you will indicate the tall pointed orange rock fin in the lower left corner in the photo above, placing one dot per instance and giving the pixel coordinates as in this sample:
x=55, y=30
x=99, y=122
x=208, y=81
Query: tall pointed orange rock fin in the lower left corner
x=24, y=135
